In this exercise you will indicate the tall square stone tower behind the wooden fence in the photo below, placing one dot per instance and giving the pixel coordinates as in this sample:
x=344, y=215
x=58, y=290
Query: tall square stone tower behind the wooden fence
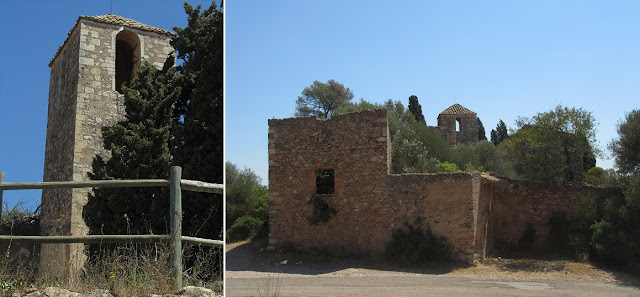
x=98, y=56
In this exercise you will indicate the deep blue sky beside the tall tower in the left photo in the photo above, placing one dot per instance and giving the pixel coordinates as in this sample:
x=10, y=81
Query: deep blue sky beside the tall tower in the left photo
x=32, y=31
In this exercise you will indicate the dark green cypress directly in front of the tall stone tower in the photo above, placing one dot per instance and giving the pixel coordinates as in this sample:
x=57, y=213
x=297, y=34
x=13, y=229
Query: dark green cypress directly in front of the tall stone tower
x=139, y=149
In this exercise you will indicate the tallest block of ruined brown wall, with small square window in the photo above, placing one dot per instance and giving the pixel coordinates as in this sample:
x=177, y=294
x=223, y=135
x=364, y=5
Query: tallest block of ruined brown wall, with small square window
x=355, y=147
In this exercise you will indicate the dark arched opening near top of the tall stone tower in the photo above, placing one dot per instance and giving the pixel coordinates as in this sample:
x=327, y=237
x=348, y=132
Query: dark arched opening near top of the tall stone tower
x=127, y=58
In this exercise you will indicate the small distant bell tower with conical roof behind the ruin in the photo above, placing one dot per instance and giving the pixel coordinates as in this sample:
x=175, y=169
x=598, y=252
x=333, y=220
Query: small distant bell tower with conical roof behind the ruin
x=460, y=124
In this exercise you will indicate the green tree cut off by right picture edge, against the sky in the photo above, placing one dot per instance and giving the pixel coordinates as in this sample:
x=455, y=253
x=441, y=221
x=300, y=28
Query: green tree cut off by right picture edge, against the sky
x=626, y=147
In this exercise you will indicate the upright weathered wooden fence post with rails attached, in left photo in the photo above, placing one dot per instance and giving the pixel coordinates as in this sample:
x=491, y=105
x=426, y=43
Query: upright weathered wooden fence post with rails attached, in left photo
x=175, y=176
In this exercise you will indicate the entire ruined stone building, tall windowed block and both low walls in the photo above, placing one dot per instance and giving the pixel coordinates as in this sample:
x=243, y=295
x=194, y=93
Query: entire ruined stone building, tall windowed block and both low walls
x=346, y=161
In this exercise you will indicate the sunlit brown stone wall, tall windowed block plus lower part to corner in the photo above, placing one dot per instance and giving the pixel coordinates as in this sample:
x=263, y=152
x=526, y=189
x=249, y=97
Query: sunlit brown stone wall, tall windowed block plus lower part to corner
x=370, y=202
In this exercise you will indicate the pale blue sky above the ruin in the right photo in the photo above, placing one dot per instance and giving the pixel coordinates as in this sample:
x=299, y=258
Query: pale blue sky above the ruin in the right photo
x=501, y=59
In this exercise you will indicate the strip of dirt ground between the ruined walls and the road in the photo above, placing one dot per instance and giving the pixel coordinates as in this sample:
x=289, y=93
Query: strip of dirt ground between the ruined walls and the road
x=250, y=259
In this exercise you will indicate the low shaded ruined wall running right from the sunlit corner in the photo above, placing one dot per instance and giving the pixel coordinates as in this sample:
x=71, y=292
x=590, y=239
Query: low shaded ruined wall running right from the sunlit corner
x=519, y=204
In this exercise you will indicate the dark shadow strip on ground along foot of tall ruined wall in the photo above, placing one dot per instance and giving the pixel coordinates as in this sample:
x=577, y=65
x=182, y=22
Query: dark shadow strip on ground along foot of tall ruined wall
x=246, y=256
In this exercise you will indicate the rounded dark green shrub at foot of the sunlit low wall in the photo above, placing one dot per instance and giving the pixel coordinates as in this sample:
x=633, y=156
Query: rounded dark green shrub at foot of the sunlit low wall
x=415, y=246
